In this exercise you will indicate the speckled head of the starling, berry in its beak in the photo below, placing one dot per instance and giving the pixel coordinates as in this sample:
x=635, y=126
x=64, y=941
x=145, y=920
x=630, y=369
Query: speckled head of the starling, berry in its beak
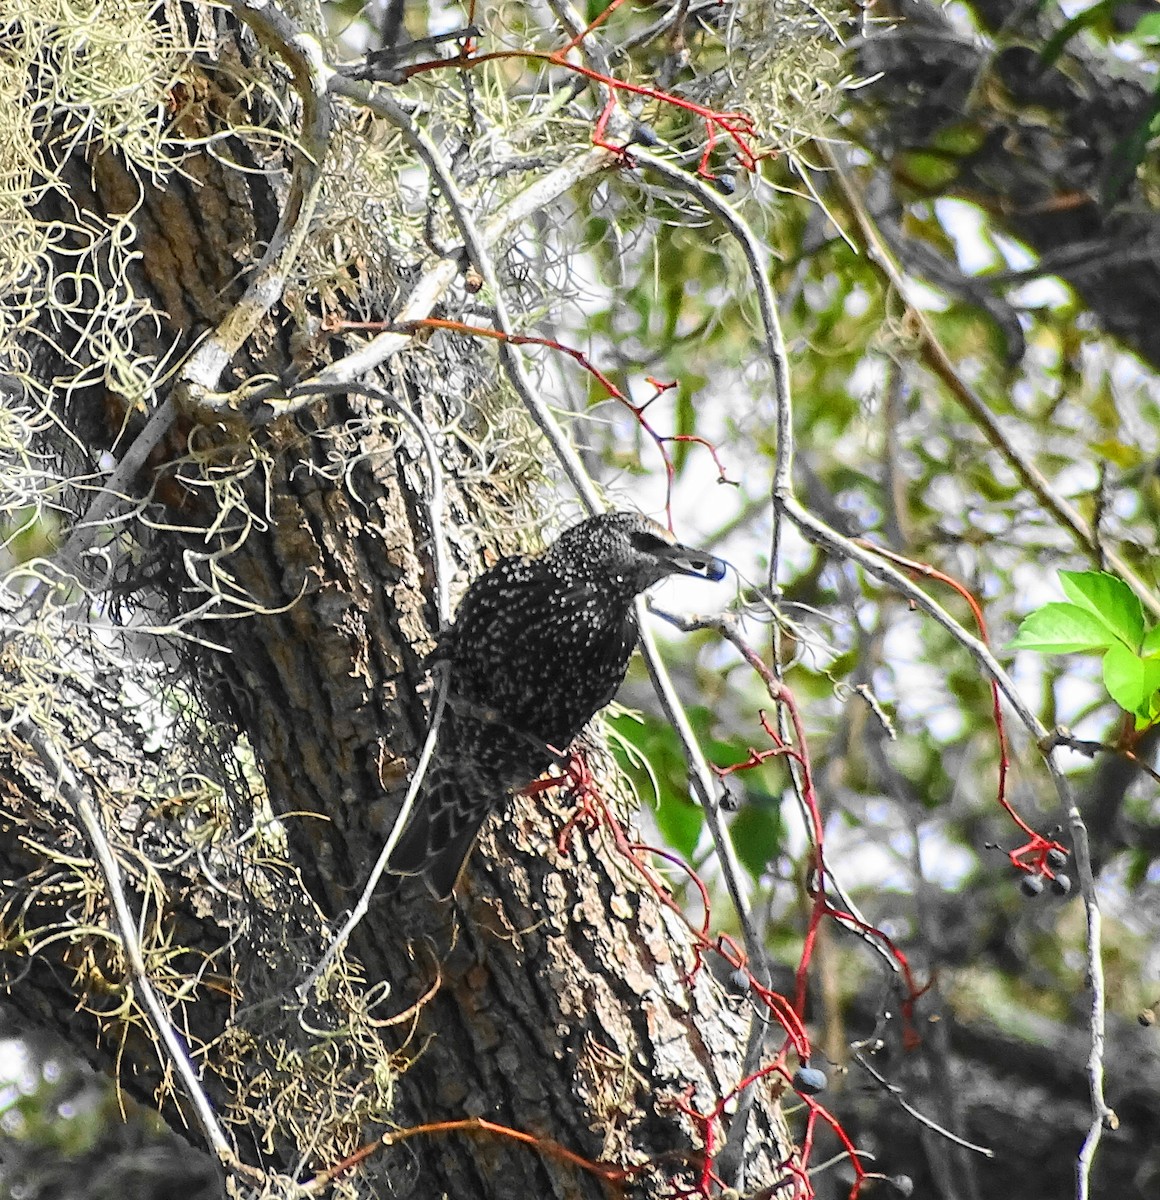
x=632, y=547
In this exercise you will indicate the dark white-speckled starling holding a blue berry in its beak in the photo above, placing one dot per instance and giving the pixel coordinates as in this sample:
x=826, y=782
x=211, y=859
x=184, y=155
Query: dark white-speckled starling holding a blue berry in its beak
x=539, y=646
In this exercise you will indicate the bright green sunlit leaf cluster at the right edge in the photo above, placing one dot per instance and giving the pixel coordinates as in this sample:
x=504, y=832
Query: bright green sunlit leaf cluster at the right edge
x=1103, y=615
